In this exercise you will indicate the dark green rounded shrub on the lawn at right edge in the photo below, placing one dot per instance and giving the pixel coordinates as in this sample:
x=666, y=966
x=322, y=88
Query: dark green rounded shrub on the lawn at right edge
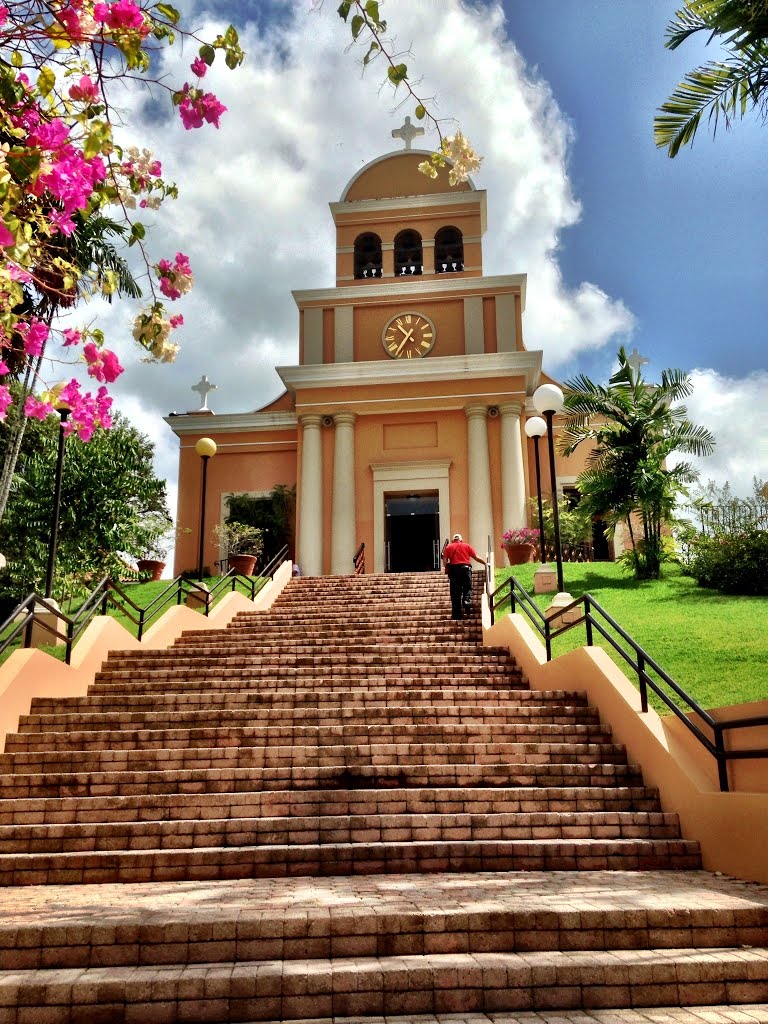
x=737, y=564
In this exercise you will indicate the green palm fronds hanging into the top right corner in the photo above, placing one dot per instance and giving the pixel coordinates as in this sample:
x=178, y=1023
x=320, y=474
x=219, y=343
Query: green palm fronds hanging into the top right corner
x=724, y=90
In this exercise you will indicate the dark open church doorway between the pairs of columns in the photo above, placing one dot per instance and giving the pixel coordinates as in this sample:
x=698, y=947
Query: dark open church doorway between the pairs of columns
x=413, y=533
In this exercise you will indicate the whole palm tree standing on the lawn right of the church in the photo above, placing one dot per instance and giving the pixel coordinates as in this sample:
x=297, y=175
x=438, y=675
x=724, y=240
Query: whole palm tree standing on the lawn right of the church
x=634, y=426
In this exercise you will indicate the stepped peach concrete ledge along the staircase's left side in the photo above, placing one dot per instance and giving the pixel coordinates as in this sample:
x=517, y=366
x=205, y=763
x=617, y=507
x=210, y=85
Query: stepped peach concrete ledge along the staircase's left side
x=31, y=673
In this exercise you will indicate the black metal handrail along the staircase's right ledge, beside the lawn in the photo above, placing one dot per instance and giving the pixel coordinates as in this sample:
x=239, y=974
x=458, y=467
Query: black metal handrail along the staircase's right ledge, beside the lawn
x=595, y=617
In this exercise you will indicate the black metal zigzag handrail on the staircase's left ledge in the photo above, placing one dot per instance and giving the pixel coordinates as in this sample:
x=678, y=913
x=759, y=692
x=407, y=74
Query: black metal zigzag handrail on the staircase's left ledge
x=108, y=592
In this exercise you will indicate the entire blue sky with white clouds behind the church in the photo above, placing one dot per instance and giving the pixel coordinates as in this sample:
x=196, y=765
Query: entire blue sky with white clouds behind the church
x=621, y=245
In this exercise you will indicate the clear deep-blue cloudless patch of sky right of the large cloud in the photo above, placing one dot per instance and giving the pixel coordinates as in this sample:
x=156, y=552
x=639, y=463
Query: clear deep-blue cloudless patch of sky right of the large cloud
x=684, y=242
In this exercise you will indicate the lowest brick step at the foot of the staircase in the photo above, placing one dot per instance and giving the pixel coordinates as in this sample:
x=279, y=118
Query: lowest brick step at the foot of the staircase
x=353, y=988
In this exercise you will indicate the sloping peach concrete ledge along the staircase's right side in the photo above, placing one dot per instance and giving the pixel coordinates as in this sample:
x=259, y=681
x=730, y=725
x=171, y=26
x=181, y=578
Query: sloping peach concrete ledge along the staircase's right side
x=733, y=828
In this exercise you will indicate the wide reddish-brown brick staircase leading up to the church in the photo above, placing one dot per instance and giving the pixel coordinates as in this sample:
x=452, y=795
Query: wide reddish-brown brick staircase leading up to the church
x=348, y=807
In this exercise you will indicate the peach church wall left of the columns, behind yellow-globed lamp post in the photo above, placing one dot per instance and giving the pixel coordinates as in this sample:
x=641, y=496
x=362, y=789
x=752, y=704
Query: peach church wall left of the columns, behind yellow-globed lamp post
x=238, y=466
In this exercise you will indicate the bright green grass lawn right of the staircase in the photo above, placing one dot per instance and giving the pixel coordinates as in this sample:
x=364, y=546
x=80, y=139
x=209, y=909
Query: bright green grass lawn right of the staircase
x=714, y=646
